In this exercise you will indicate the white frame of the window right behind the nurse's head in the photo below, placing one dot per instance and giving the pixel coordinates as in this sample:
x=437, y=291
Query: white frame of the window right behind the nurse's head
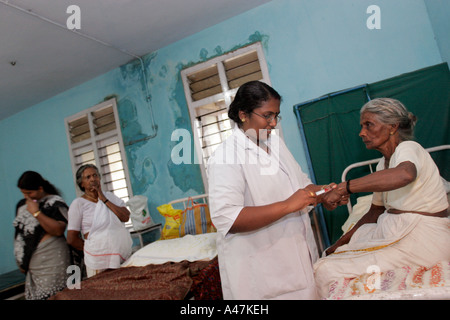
x=225, y=95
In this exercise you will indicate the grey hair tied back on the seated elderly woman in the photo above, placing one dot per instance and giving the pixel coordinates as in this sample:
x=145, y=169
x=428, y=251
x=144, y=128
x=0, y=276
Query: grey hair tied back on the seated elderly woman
x=392, y=111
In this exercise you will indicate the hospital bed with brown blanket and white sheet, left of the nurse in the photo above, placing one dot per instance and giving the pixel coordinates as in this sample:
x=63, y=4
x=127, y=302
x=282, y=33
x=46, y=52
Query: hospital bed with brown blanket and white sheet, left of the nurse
x=173, y=269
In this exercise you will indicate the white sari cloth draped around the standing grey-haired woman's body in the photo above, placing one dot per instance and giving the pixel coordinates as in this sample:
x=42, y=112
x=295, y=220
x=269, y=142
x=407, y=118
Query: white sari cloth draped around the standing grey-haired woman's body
x=109, y=242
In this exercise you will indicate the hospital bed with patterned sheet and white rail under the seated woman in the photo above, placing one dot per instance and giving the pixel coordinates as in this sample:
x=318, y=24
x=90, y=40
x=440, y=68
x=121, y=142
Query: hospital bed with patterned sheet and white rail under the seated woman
x=406, y=283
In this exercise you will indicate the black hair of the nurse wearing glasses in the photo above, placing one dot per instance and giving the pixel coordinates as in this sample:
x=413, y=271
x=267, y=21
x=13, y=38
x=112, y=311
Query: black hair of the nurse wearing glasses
x=250, y=96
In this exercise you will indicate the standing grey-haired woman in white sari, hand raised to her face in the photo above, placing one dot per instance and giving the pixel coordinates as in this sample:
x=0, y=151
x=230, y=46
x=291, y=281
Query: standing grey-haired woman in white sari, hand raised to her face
x=88, y=212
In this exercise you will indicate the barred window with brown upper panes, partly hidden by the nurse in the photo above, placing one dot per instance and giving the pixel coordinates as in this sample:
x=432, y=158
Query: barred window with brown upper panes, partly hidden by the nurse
x=209, y=89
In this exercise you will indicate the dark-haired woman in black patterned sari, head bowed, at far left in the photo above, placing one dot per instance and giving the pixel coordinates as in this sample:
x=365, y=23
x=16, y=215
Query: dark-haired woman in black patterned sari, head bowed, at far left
x=39, y=246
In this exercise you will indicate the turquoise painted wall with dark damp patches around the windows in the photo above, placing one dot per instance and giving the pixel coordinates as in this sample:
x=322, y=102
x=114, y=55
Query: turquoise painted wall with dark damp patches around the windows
x=311, y=47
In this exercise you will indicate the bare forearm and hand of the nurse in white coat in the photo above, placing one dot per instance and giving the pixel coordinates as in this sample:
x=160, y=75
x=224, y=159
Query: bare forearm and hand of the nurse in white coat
x=254, y=218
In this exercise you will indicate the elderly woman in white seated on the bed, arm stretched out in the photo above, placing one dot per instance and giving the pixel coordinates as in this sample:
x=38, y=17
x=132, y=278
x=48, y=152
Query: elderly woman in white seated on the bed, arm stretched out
x=407, y=222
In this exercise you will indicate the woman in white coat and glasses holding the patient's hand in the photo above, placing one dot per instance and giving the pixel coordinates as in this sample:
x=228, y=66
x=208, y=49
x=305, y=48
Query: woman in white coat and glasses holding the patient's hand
x=259, y=200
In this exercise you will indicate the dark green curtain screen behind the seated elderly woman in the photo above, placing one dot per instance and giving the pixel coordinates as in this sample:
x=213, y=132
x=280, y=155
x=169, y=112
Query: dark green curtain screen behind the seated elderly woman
x=330, y=126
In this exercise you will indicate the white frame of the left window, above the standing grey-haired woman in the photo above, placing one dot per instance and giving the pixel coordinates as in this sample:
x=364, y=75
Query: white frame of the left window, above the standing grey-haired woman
x=93, y=142
